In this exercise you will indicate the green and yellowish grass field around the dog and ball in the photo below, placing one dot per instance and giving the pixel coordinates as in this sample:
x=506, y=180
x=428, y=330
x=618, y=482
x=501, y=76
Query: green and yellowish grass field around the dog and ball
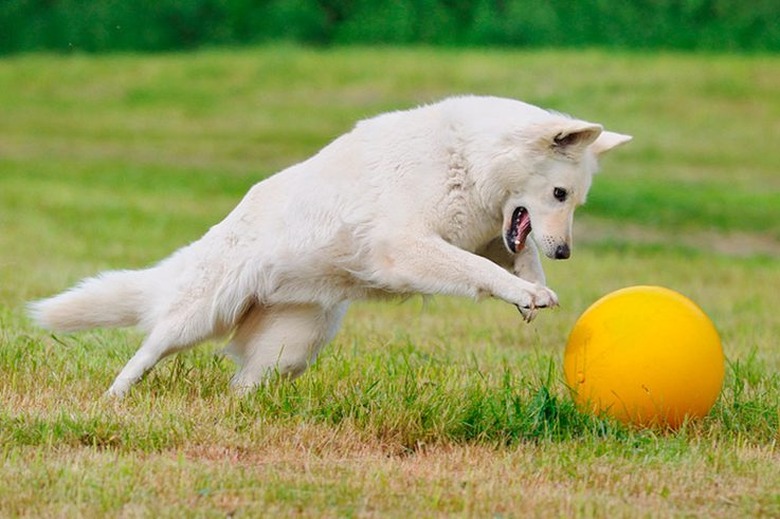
x=418, y=408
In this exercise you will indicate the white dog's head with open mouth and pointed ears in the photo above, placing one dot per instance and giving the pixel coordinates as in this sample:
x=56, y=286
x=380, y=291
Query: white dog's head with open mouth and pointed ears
x=558, y=162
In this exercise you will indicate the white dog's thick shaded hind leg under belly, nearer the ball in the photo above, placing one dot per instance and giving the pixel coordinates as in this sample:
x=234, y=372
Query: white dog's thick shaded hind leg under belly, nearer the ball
x=281, y=339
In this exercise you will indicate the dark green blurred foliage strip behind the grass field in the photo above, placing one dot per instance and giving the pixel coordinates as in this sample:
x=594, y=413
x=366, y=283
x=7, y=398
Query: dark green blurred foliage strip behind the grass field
x=165, y=25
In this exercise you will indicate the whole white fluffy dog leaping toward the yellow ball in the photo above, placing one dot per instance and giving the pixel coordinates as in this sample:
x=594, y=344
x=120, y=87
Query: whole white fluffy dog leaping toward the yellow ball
x=434, y=200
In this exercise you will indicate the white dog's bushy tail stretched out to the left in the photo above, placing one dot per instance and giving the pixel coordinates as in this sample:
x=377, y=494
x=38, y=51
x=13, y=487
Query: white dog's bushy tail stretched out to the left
x=112, y=299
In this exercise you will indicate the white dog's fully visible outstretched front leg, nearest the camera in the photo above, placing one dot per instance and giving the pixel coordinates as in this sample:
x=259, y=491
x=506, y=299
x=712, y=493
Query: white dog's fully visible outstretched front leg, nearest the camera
x=431, y=265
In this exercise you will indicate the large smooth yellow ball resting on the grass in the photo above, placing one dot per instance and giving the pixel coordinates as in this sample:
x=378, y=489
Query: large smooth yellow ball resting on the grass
x=645, y=355
